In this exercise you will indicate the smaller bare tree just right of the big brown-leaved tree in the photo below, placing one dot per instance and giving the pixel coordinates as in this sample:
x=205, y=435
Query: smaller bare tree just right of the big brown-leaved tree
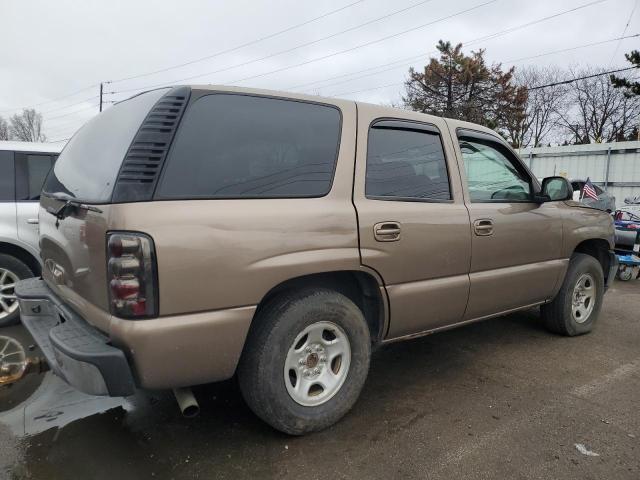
x=542, y=106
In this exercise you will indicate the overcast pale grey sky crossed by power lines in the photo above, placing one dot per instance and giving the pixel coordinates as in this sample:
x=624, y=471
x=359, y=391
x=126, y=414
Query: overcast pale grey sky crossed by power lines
x=53, y=48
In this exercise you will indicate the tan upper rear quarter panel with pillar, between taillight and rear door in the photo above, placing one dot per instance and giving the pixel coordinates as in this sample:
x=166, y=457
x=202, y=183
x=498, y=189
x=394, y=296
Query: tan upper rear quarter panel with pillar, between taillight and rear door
x=215, y=254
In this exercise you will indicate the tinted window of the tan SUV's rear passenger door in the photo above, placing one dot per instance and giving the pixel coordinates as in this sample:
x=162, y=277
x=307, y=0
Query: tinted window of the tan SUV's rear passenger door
x=405, y=164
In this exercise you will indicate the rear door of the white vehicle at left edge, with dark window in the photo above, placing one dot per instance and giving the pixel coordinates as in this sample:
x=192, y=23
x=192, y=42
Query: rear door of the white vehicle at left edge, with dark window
x=31, y=172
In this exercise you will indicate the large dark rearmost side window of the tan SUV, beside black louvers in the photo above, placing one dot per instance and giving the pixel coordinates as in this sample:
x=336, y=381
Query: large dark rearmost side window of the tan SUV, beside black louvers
x=240, y=146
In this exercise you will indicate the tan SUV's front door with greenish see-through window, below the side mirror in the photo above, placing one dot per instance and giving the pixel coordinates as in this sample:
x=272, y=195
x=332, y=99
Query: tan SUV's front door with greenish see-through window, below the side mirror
x=516, y=243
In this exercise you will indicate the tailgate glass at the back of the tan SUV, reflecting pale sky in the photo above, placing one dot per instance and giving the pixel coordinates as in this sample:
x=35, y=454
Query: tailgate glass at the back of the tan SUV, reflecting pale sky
x=88, y=166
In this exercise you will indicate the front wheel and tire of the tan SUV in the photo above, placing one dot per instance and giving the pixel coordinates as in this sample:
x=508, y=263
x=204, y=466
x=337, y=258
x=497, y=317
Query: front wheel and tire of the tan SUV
x=577, y=305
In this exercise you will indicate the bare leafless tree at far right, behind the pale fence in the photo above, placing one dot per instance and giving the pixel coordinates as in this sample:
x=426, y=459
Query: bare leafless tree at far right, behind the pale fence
x=597, y=111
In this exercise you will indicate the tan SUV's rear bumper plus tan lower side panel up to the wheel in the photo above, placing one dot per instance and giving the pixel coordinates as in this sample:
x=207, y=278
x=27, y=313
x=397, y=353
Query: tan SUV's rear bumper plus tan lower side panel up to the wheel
x=160, y=353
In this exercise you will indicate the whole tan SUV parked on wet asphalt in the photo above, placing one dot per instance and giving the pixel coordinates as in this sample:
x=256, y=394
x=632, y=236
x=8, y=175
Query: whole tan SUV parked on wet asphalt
x=195, y=233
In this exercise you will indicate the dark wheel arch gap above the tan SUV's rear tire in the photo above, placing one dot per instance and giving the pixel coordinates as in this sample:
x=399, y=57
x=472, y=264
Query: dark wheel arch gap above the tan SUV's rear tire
x=362, y=288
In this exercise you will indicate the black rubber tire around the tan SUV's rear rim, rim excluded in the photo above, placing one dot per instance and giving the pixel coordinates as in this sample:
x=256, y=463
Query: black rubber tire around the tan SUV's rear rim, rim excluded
x=260, y=372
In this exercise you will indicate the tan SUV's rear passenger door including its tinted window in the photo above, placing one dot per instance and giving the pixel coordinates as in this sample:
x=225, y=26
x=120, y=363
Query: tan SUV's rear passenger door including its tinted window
x=413, y=224
